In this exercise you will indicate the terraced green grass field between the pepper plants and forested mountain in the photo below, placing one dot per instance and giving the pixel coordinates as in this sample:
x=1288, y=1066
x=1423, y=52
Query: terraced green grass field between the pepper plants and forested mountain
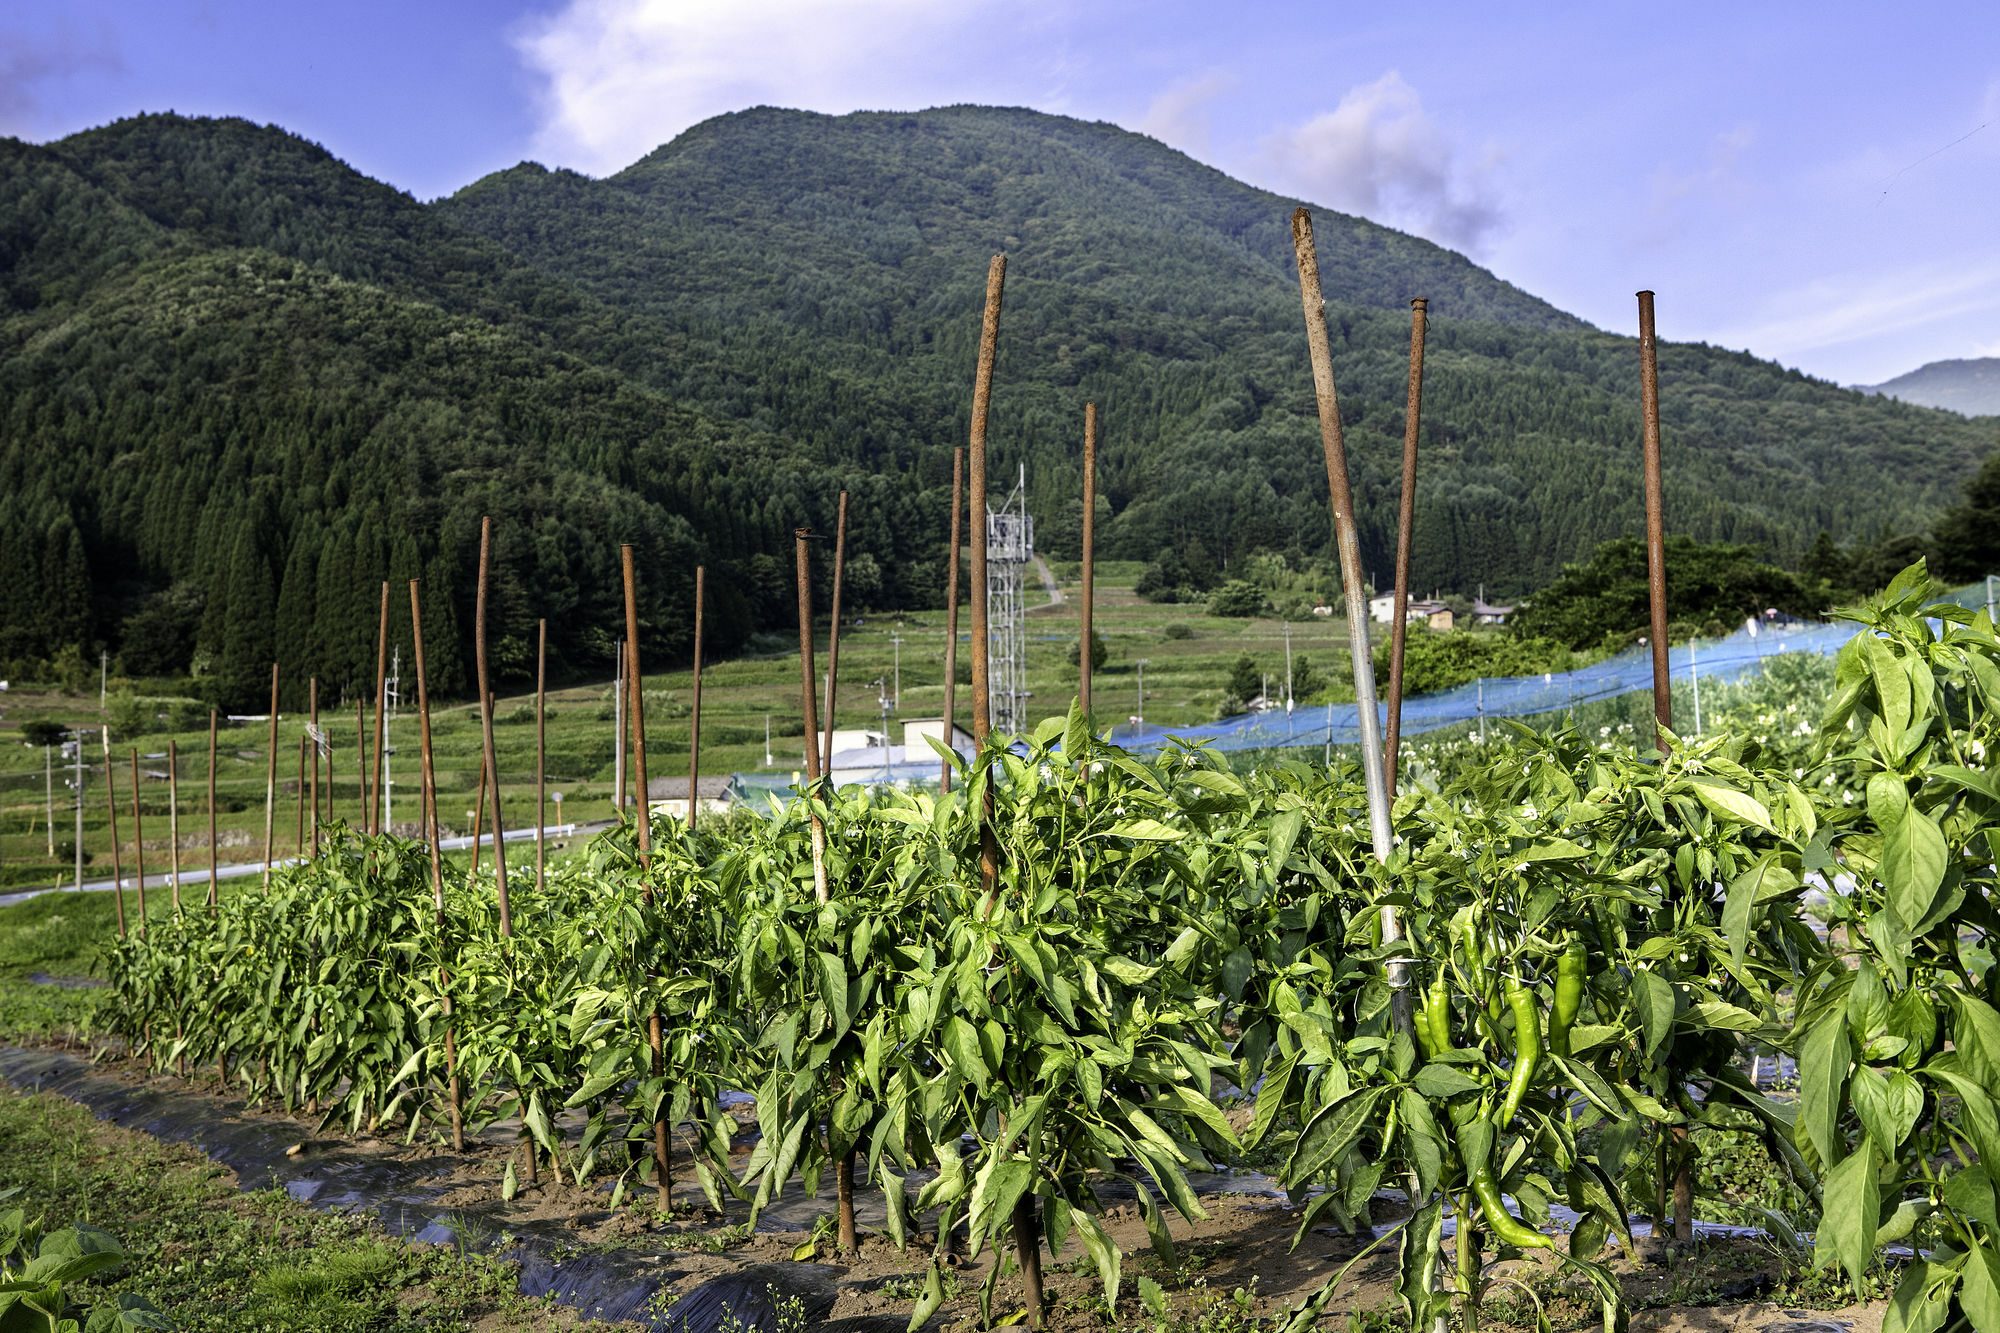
x=1187, y=653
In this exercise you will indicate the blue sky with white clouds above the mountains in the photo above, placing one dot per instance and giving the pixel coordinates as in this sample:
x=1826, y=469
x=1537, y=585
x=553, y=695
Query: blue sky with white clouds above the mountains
x=1817, y=183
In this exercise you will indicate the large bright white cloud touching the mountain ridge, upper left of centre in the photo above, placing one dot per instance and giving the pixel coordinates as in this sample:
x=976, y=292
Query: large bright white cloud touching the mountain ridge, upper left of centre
x=623, y=77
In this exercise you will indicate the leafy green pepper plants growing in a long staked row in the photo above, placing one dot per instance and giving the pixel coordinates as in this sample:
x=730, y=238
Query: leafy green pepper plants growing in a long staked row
x=1591, y=942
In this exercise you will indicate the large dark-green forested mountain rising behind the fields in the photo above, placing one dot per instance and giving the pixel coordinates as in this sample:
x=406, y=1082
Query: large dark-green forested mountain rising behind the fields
x=241, y=385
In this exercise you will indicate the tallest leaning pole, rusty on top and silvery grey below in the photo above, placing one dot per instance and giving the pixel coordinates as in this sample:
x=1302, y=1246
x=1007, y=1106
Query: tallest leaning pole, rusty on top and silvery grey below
x=1351, y=575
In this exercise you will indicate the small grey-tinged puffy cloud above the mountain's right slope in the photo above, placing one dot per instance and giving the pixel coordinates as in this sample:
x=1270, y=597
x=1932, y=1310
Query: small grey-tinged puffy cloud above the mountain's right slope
x=1385, y=157
